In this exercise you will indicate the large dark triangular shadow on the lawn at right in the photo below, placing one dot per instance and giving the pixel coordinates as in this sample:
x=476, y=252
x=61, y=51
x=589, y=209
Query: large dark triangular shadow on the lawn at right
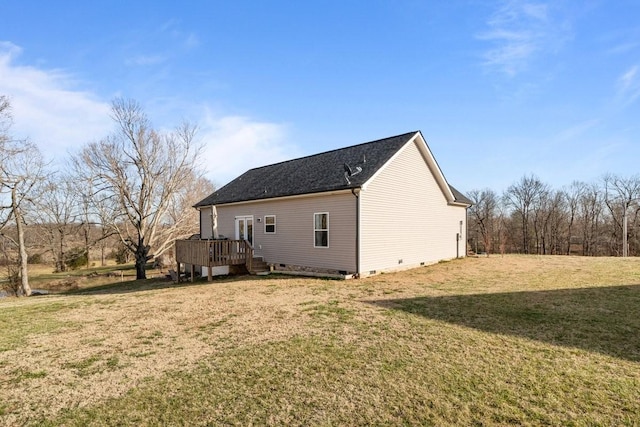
x=605, y=320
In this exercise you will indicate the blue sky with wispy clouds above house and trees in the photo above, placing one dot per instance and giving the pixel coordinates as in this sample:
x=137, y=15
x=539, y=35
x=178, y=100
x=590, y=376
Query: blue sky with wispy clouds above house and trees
x=499, y=89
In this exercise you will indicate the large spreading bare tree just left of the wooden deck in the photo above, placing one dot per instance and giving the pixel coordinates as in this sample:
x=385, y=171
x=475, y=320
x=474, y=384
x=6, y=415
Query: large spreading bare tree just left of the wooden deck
x=141, y=171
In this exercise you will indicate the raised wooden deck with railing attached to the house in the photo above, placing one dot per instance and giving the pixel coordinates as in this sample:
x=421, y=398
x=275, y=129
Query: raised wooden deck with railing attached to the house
x=213, y=253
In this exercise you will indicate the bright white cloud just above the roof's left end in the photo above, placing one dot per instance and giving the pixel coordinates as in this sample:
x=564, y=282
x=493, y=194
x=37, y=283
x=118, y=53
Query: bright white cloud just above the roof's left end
x=235, y=144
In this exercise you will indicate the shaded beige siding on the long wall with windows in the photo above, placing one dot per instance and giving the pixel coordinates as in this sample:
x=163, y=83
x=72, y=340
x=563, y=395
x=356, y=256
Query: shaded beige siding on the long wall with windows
x=293, y=241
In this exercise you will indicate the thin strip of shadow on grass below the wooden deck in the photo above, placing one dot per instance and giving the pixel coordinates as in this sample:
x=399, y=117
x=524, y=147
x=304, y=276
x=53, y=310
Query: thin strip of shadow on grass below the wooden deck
x=162, y=283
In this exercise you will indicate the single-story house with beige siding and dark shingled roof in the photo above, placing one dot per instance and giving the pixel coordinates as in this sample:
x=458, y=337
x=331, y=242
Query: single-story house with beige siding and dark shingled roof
x=351, y=212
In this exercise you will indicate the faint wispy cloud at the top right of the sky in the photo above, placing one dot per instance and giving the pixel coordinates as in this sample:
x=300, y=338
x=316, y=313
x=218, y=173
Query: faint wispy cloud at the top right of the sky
x=518, y=31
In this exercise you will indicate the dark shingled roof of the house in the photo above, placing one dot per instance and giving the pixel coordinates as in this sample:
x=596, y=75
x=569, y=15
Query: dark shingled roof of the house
x=313, y=174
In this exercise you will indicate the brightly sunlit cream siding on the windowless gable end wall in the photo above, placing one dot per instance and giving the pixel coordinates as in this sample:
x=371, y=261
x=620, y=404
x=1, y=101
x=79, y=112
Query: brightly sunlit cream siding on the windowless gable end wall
x=405, y=218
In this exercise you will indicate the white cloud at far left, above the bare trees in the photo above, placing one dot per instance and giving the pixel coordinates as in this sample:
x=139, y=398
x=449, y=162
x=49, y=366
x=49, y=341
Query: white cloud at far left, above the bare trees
x=47, y=108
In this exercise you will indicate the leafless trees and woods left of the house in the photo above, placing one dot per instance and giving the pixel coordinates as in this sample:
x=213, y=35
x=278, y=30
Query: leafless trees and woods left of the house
x=136, y=185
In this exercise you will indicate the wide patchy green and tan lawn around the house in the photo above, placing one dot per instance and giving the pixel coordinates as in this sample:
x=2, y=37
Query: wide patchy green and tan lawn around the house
x=520, y=340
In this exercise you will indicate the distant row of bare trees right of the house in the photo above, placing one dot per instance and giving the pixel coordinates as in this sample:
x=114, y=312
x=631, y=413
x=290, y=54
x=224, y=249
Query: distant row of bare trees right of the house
x=531, y=217
